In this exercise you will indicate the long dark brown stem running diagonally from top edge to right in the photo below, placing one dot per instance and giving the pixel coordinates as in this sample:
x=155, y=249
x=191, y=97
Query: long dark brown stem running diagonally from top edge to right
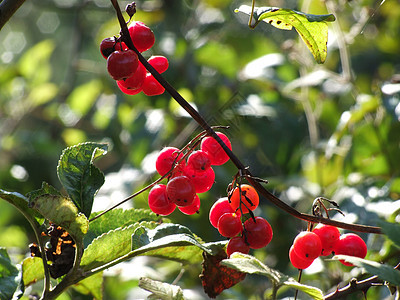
x=239, y=165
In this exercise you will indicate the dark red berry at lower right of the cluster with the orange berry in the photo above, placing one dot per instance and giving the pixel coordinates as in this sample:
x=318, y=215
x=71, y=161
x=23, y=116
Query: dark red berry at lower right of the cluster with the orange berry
x=258, y=233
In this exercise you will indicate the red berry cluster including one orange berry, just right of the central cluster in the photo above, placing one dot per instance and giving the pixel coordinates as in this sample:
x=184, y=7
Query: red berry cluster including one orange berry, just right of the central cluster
x=225, y=215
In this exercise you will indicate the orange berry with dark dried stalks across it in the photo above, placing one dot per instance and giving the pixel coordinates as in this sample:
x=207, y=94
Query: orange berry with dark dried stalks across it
x=247, y=195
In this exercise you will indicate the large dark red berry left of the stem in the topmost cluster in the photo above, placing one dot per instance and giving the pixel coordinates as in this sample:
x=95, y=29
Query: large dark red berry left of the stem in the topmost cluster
x=122, y=64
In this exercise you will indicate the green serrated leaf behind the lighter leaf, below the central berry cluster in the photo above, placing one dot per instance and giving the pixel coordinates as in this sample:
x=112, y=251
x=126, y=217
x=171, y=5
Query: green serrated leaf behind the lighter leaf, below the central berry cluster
x=117, y=218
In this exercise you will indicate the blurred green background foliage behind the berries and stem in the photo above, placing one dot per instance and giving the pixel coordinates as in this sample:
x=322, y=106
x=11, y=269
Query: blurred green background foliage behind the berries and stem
x=312, y=130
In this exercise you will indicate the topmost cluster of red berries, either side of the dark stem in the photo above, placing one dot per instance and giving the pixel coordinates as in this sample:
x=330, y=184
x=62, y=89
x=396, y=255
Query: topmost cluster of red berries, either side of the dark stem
x=123, y=64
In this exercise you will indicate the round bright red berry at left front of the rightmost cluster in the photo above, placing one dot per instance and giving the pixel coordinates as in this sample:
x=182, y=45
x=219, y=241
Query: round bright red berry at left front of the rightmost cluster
x=307, y=245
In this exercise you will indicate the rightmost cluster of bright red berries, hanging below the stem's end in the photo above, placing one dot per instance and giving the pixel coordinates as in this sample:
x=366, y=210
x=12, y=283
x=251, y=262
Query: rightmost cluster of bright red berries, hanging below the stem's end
x=322, y=241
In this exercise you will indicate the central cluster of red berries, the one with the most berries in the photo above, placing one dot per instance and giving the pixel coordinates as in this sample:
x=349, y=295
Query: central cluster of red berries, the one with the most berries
x=187, y=177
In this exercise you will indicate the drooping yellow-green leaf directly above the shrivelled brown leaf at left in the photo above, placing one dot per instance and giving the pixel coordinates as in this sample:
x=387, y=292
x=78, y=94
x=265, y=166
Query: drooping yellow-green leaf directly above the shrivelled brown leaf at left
x=63, y=212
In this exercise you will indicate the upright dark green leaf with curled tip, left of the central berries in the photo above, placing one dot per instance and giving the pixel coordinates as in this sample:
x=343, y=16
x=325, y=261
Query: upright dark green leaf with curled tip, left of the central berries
x=80, y=178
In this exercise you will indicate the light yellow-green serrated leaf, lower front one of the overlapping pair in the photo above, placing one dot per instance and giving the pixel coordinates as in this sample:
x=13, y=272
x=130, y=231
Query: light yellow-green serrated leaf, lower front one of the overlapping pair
x=110, y=246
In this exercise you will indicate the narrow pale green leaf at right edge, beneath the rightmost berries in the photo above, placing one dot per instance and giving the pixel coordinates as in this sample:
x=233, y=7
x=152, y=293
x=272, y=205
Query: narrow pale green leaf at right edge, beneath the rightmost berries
x=383, y=271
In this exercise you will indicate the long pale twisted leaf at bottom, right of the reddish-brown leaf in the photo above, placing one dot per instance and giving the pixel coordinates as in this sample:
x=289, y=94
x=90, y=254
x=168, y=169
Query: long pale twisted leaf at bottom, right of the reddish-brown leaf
x=251, y=265
